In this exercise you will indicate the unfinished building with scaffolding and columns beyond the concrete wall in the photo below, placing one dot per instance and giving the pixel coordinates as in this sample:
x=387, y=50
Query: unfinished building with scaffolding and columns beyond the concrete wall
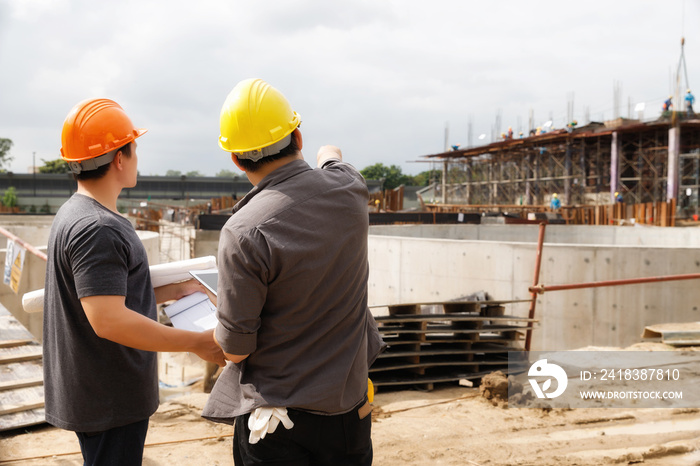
x=648, y=162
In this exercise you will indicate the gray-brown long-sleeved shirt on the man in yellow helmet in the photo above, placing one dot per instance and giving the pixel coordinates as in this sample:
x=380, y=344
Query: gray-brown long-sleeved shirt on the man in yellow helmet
x=292, y=293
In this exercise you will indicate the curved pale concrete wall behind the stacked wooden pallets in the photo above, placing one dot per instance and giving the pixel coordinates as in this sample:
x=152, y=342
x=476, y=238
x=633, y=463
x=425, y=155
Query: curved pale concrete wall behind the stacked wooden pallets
x=408, y=268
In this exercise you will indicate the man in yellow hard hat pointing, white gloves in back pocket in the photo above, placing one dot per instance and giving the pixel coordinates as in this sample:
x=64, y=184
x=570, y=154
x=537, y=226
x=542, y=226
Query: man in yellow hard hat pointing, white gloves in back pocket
x=292, y=294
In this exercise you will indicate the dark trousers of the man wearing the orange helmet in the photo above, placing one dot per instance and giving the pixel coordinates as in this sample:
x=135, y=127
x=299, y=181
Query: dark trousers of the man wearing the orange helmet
x=120, y=446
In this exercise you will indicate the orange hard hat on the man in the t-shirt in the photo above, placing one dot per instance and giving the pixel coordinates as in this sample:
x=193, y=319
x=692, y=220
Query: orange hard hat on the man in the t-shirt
x=92, y=128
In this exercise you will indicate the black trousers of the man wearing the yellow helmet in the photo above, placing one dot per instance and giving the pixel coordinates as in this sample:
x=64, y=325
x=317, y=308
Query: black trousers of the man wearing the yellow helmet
x=343, y=439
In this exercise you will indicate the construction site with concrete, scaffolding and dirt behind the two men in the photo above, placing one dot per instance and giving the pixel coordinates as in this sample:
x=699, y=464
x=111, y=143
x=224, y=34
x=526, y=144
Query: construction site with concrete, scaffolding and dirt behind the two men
x=481, y=268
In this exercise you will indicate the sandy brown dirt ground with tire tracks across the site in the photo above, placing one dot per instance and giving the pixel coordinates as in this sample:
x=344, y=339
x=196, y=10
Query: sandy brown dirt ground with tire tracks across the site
x=450, y=425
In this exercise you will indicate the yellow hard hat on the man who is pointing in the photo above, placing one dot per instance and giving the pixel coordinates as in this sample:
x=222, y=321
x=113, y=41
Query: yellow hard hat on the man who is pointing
x=256, y=120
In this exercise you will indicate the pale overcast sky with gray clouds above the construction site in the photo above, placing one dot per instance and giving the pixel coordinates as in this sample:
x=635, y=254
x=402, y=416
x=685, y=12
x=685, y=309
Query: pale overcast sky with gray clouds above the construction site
x=382, y=79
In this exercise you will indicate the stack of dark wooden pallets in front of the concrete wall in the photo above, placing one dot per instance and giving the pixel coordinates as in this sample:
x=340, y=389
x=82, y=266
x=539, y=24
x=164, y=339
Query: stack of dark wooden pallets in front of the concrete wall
x=454, y=341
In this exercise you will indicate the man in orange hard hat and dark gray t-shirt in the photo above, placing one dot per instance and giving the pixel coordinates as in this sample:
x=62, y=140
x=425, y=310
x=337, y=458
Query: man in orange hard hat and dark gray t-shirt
x=100, y=329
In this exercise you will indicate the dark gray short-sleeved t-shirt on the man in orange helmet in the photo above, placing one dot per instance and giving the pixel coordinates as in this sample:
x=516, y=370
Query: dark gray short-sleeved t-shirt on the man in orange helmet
x=92, y=384
